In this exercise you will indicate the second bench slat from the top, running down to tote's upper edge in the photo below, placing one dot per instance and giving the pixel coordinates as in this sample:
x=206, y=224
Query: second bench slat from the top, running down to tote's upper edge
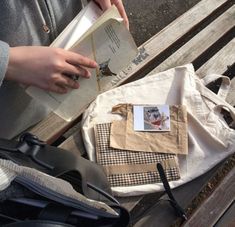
x=201, y=42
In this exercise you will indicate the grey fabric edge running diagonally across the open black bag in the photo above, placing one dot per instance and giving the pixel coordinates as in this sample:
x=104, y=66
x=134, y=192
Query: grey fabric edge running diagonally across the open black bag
x=50, y=187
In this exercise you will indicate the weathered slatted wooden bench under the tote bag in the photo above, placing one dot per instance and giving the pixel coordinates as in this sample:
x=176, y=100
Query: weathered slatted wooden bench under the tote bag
x=205, y=36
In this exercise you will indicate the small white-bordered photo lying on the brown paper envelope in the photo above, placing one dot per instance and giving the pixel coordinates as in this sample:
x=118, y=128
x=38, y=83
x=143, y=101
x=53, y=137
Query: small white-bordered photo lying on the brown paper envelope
x=151, y=117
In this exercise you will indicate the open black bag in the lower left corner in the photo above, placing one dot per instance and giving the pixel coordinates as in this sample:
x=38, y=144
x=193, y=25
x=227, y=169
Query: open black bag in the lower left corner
x=30, y=207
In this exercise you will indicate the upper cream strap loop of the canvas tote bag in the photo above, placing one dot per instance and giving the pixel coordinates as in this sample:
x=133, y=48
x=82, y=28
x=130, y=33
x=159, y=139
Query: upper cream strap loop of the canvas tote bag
x=224, y=87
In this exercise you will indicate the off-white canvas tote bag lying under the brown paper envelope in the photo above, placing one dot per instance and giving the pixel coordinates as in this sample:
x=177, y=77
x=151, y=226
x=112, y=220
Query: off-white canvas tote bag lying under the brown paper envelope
x=210, y=139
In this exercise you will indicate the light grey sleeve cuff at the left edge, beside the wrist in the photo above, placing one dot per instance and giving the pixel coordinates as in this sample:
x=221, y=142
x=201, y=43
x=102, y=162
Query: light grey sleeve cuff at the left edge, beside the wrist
x=4, y=58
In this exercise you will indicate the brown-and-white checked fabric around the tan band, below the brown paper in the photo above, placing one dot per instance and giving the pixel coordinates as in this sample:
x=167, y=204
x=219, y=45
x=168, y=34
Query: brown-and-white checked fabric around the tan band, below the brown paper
x=109, y=157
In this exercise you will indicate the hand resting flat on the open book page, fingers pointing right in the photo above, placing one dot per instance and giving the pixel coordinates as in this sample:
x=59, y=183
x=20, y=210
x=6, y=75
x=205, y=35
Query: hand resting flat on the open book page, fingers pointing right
x=47, y=67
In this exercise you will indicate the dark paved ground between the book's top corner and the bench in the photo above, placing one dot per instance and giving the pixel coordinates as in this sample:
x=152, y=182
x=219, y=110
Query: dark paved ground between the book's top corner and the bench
x=147, y=17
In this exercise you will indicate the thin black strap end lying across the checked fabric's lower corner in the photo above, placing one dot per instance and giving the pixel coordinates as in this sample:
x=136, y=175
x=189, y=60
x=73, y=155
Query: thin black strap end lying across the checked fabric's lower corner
x=178, y=209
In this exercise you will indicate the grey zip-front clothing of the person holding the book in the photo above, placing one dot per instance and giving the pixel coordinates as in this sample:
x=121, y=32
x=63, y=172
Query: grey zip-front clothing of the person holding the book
x=21, y=23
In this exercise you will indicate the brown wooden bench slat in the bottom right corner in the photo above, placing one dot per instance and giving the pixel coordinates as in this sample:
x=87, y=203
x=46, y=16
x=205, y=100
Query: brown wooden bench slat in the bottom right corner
x=209, y=212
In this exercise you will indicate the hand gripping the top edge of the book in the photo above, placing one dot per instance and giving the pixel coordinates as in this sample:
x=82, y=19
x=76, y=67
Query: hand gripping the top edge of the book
x=105, y=4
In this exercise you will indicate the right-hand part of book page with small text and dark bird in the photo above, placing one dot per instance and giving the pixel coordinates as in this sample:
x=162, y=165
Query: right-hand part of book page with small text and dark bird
x=114, y=49
